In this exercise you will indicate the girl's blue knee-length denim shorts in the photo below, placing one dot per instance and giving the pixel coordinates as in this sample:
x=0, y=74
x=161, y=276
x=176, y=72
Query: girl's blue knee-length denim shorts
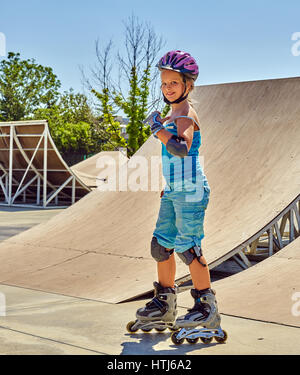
x=180, y=221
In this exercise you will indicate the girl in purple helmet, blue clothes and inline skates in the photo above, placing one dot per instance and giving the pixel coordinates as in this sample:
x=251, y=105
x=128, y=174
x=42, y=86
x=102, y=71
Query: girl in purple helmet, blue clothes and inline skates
x=179, y=226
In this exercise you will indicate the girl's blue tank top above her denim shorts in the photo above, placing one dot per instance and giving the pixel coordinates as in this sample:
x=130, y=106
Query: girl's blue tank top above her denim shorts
x=178, y=171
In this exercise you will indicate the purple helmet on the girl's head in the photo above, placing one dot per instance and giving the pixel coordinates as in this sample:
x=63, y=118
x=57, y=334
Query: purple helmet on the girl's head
x=181, y=62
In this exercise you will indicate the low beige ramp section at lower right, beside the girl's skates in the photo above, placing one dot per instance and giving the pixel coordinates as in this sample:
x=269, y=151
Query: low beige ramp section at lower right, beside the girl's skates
x=268, y=291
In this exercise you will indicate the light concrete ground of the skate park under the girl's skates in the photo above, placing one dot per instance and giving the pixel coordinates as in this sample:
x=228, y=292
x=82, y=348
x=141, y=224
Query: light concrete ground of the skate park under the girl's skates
x=37, y=322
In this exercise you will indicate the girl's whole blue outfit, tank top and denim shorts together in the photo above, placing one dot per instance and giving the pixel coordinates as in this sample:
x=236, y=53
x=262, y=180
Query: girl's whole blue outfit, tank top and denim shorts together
x=186, y=195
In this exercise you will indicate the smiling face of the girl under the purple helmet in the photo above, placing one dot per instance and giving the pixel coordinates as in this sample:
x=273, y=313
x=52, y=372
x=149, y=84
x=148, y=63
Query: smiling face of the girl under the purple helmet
x=172, y=85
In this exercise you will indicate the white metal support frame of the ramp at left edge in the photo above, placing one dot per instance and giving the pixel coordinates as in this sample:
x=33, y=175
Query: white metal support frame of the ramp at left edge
x=45, y=192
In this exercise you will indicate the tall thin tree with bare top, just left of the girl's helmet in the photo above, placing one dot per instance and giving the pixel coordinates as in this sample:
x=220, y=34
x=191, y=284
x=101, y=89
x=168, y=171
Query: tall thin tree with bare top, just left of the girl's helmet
x=142, y=47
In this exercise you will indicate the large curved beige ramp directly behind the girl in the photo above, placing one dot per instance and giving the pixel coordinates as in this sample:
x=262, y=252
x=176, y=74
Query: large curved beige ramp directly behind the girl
x=100, y=247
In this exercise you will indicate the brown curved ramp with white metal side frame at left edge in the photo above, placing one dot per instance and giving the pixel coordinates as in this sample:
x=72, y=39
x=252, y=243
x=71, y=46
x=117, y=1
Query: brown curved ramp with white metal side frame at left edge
x=32, y=172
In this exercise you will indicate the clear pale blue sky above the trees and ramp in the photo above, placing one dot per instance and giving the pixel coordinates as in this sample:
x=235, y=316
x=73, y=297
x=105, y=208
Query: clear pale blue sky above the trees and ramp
x=232, y=40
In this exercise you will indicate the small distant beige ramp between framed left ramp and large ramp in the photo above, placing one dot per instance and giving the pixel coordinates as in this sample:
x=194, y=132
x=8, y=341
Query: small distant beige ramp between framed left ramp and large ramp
x=88, y=171
